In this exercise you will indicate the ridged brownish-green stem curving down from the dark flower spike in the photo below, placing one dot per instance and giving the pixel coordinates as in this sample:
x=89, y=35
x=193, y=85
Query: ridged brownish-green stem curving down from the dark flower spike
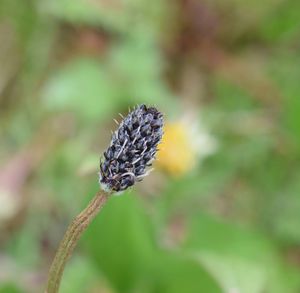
x=70, y=239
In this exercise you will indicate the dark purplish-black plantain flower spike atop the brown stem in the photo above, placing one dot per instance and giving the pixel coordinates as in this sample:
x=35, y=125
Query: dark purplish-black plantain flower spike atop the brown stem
x=132, y=149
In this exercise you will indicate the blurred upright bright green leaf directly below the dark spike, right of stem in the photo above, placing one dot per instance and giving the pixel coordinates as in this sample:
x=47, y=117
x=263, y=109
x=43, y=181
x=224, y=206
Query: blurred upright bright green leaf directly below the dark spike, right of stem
x=120, y=241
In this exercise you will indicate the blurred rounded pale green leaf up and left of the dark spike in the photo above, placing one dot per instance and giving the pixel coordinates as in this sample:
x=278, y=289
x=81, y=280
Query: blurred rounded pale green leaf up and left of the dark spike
x=81, y=86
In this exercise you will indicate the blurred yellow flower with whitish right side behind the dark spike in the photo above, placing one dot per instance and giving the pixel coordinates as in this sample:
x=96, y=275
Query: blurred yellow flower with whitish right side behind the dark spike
x=183, y=144
